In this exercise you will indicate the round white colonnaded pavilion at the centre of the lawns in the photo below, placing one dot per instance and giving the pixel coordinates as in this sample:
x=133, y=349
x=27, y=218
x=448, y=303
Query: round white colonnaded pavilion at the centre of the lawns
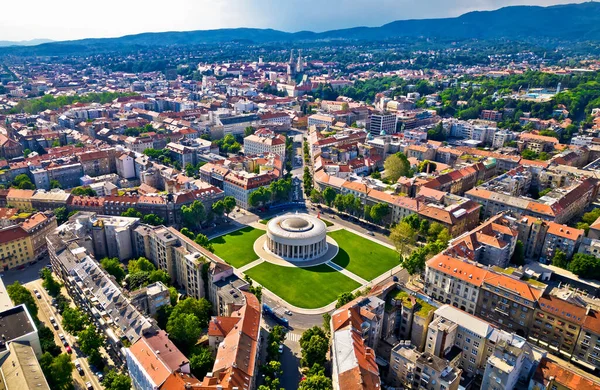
x=296, y=237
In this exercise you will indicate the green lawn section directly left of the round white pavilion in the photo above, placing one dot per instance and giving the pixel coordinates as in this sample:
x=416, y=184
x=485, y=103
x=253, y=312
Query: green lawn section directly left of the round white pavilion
x=237, y=248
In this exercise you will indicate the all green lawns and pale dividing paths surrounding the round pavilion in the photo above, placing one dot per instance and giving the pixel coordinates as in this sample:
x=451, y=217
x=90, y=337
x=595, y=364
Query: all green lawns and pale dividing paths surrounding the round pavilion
x=359, y=260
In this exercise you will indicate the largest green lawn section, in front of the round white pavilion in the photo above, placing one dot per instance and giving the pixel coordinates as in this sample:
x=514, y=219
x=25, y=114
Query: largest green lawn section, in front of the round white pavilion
x=309, y=288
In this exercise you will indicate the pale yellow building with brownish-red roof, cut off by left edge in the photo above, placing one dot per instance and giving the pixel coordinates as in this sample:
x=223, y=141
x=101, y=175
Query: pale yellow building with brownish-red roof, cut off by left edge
x=15, y=247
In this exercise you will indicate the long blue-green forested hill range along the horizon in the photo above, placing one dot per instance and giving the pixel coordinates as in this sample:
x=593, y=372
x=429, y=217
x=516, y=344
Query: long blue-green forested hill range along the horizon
x=569, y=22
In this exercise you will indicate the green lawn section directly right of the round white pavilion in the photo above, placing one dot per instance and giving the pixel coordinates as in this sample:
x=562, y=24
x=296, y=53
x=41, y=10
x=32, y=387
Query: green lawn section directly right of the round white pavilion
x=363, y=257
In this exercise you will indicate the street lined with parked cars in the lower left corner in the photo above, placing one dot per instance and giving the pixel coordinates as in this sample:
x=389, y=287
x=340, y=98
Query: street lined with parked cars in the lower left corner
x=46, y=310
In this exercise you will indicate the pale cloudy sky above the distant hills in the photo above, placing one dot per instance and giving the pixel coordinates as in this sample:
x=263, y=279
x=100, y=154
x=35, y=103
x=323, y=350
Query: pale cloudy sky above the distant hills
x=76, y=19
